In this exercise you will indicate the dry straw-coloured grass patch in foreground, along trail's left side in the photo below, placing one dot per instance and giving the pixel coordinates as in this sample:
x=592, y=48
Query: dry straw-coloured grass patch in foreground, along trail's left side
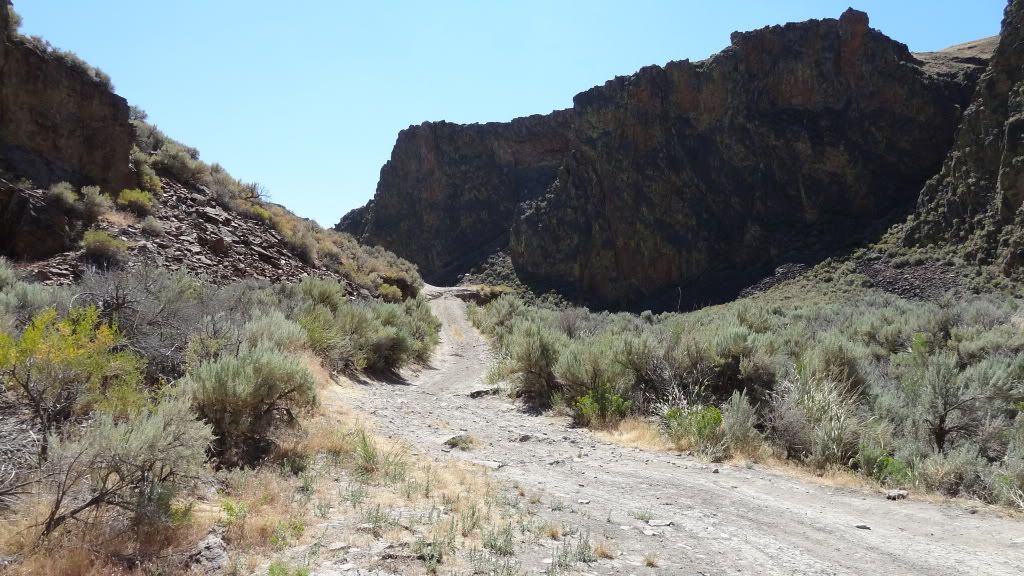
x=362, y=479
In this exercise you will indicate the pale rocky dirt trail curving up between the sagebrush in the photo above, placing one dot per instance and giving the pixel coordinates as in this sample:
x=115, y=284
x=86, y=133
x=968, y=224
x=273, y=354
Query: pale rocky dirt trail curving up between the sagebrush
x=742, y=520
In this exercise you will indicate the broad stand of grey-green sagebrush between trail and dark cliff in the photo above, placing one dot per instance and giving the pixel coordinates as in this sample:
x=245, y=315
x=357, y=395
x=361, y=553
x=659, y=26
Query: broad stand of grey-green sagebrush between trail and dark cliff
x=911, y=394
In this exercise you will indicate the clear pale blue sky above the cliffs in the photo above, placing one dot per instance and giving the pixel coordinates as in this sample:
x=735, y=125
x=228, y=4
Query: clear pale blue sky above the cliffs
x=308, y=97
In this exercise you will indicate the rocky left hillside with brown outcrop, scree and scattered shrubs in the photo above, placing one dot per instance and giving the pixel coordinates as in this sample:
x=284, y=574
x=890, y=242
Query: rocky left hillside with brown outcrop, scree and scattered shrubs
x=70, y=148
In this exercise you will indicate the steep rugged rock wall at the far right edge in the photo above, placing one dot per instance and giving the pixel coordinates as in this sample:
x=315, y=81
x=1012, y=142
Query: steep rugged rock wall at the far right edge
x=976, y=202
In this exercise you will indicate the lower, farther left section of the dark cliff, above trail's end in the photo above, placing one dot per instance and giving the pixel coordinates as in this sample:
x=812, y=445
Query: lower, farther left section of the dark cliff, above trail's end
x=448, y=197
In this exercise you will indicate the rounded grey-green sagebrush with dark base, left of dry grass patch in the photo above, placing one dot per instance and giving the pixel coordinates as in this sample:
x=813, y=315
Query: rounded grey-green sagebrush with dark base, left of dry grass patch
x=244, y=397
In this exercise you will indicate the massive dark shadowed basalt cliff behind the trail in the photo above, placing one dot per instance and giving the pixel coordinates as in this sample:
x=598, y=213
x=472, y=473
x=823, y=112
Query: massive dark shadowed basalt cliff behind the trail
x=688, y=181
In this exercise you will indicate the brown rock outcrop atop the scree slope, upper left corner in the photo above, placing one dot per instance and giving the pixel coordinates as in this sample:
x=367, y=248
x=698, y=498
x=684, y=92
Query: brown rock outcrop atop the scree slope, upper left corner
x=57, y=122
